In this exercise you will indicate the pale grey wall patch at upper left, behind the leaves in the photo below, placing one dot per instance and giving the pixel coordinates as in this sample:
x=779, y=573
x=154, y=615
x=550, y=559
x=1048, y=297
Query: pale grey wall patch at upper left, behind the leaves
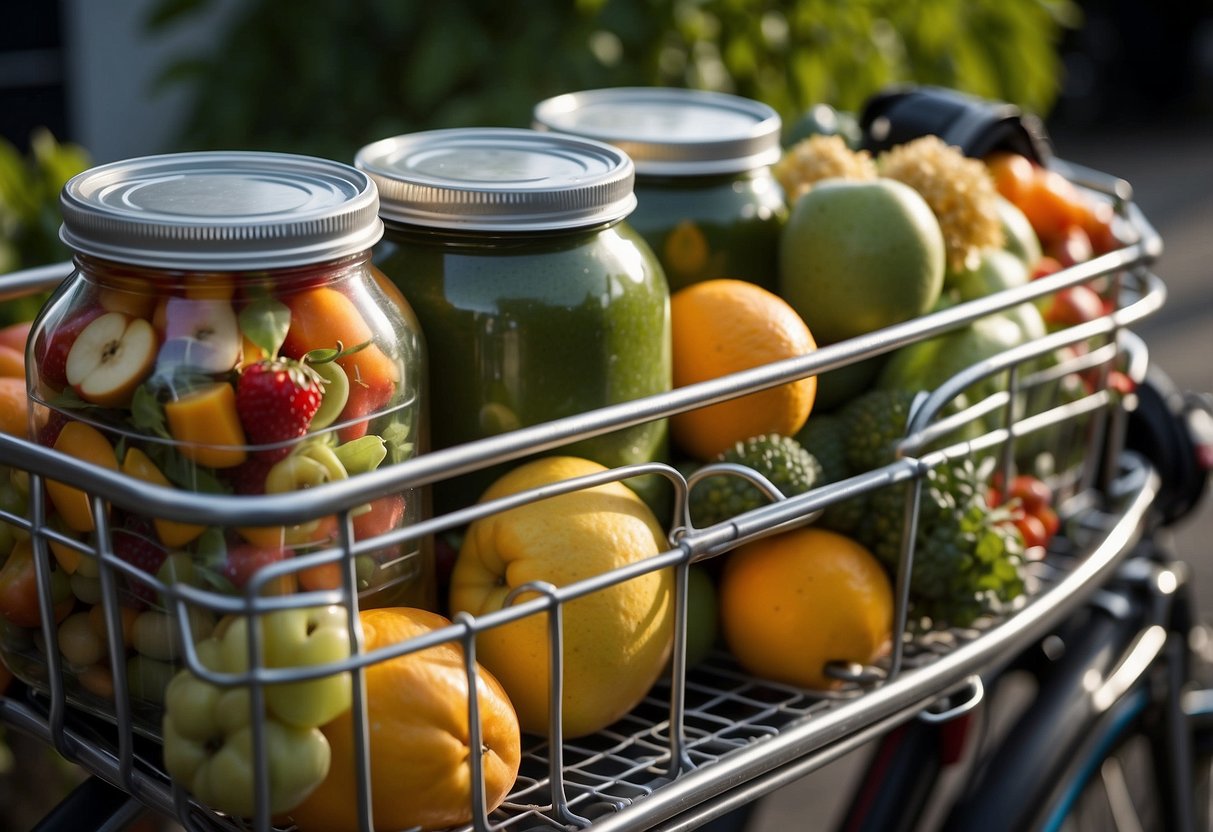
x=112, y=65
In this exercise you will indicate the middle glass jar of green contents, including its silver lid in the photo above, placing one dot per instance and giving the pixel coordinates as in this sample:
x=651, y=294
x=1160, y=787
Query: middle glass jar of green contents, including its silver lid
x=538, y=300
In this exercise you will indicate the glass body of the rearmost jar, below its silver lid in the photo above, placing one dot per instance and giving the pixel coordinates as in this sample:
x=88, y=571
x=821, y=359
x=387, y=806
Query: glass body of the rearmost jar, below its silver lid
x=705, y=227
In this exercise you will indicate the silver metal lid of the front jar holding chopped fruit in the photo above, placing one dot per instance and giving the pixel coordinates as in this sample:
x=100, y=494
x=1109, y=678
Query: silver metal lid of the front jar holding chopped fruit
x=221, y=210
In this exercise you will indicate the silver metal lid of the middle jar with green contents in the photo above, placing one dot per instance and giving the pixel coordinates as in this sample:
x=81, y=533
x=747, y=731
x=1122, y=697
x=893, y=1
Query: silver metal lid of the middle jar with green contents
x=499, y=180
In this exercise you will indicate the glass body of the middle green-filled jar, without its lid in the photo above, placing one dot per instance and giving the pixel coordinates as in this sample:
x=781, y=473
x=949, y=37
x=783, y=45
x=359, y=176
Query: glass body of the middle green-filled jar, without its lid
x=526, y=328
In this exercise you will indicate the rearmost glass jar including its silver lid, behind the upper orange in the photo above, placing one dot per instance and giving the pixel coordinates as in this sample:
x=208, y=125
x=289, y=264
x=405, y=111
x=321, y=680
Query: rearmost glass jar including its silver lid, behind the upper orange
x=708, y=202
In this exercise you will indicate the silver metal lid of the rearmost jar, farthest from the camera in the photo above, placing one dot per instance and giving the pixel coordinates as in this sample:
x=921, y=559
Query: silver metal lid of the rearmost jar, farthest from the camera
x=670, y=132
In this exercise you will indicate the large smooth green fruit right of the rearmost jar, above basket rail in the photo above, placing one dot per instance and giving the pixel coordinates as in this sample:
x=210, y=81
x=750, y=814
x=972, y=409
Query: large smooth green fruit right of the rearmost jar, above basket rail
x=857, y=257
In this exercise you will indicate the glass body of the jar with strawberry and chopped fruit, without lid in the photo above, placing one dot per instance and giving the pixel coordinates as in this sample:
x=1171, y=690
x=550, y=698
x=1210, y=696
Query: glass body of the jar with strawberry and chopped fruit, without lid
x=140, y=371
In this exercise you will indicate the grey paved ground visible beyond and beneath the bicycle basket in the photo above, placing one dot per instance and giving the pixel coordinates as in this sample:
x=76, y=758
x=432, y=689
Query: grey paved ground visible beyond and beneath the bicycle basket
x=1171, y=169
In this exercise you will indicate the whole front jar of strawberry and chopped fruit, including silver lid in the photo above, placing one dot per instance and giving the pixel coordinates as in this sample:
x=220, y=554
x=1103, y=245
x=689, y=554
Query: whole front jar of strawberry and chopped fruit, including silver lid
x=224, y=332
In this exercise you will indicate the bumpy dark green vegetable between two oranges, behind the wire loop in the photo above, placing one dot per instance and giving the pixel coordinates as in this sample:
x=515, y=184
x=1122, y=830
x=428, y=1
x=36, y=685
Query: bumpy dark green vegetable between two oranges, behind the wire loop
x=782, y=460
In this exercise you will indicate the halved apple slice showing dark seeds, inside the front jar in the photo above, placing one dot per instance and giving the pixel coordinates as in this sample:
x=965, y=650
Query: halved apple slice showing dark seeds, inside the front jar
x=111, y=357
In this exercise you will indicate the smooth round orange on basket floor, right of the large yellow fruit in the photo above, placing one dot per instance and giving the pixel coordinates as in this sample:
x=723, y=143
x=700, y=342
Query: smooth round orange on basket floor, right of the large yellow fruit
x=793, y=602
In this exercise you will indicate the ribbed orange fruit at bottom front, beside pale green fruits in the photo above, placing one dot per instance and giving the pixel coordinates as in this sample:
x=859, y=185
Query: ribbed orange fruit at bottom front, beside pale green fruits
x=417, y=705
